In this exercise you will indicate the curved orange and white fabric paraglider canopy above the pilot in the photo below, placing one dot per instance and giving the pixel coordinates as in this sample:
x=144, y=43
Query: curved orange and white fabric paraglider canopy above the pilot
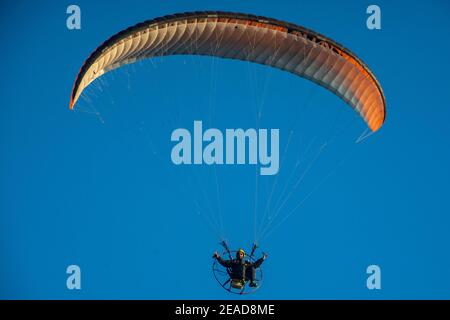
x=261, y=40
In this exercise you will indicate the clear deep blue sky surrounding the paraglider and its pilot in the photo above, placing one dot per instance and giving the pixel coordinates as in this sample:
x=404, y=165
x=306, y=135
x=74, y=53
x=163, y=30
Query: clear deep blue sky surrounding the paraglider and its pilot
x=100, y=191
